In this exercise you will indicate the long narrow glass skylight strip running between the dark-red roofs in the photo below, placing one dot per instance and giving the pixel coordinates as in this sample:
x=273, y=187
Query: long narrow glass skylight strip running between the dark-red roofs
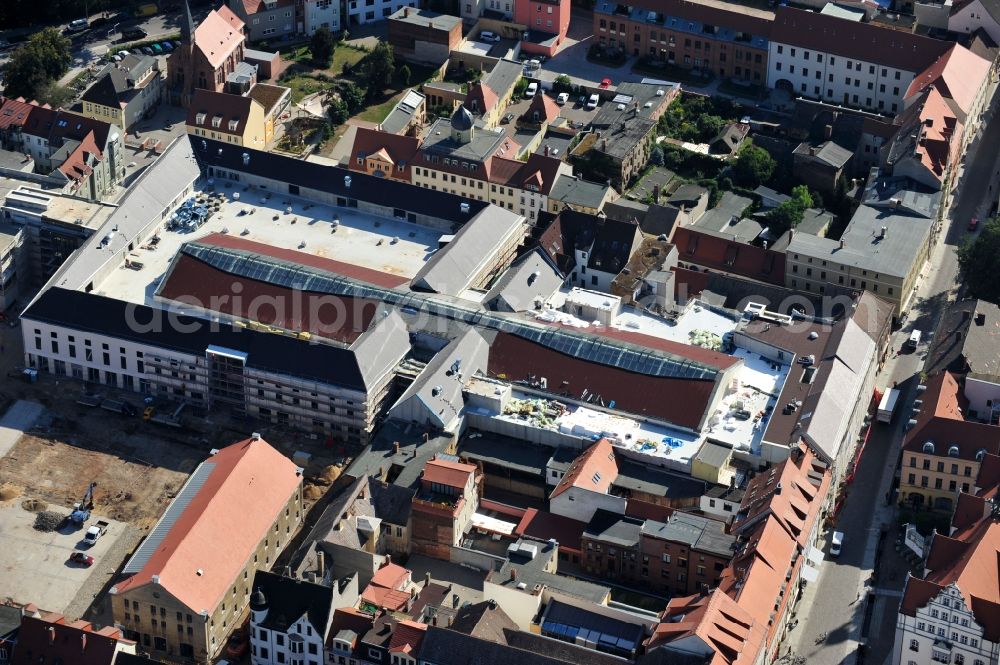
x=585, y=346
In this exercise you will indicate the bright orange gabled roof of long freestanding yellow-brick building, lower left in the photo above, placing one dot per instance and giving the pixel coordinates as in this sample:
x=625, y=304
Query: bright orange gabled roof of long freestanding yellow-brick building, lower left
x=245, y=491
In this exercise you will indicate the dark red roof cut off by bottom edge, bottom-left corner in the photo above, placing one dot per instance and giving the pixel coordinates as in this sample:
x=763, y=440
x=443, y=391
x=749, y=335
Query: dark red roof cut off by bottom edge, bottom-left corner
x=50, y=639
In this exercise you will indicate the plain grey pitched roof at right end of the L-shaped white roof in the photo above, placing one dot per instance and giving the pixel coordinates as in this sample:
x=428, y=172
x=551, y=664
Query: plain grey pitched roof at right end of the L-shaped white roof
x=453, y=267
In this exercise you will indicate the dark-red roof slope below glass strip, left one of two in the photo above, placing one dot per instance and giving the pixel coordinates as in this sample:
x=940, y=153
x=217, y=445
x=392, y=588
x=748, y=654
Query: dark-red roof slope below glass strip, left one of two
x=197, y=284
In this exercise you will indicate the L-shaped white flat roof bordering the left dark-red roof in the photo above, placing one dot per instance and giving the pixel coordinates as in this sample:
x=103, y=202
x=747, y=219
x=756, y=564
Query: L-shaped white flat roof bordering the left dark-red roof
x=379, y=243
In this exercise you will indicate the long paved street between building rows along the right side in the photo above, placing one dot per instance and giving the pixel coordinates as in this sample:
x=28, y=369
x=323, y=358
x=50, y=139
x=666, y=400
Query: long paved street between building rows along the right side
x=841, y=610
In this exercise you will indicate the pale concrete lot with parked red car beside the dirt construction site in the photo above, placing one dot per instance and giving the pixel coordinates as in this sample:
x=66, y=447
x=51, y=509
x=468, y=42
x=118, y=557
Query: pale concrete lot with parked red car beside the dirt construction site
x=35, y=567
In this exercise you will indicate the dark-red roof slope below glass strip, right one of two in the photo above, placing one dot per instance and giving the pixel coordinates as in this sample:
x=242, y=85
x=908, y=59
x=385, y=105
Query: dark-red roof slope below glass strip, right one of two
x=677, y=400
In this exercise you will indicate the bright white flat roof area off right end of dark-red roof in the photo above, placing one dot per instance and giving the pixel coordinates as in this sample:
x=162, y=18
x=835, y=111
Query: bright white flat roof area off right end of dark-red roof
x=760, y=386
